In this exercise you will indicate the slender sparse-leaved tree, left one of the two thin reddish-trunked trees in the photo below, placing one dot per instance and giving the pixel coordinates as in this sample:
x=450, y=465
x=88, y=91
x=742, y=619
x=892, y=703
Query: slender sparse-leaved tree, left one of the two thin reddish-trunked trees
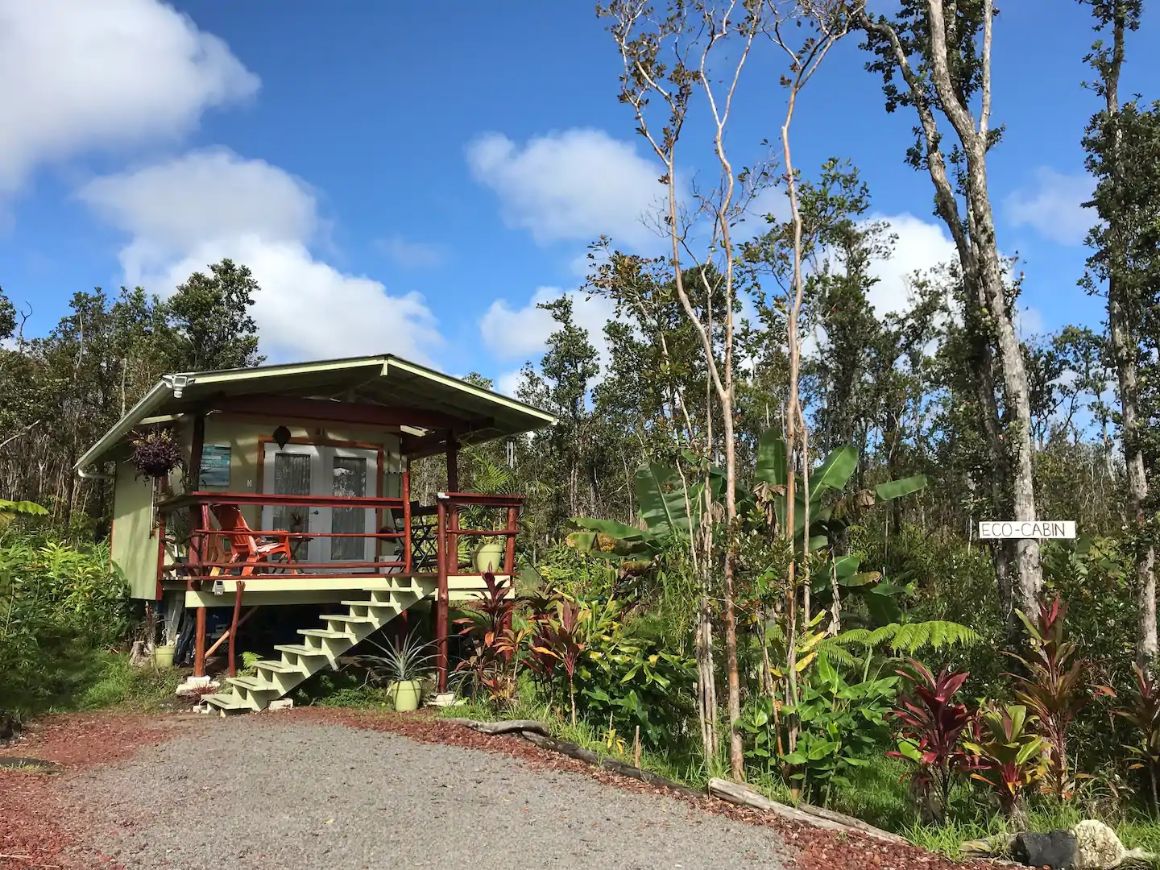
x=695, y=54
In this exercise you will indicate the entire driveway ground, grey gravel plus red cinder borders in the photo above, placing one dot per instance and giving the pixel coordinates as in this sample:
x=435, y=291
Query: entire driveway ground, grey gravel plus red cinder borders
x=343, y=789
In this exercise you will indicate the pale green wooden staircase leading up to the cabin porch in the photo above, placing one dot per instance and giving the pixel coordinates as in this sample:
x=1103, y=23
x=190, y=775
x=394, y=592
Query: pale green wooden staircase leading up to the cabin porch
x=320, y=648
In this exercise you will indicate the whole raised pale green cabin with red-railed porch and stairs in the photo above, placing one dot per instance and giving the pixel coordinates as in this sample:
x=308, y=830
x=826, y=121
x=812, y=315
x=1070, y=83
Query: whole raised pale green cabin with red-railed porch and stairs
x=291, y=485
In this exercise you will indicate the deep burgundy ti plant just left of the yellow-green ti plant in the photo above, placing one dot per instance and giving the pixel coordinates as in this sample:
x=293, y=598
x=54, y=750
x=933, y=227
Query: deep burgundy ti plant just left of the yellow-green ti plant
x=931, y=726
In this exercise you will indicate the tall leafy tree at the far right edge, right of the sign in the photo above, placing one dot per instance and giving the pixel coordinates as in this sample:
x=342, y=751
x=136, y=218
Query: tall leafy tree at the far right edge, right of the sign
x=1122, y=144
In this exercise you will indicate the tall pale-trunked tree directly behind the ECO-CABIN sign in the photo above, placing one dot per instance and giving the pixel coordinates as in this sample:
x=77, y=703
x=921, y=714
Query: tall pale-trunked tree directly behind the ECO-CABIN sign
x=936, y=59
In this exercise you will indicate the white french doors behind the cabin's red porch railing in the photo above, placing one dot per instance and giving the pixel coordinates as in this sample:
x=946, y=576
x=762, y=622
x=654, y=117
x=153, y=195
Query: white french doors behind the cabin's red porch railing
x=322, y=470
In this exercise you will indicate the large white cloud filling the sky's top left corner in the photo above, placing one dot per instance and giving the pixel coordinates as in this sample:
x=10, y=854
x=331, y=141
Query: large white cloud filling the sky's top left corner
x=82, y=76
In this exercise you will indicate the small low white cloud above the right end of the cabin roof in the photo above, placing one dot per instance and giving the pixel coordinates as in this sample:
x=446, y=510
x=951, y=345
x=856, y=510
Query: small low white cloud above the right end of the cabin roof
x=523, y=333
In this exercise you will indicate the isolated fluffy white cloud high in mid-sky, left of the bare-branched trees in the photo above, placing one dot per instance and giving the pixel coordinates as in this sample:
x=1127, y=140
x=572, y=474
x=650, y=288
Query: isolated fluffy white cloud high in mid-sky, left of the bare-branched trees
x=575, y=185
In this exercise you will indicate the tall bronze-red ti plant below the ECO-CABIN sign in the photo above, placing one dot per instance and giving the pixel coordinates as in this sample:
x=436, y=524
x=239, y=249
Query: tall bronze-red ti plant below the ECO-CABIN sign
x=1054, y=687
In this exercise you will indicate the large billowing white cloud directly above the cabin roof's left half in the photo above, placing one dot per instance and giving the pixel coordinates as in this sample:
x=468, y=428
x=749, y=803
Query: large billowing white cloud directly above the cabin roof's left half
x=194, y=211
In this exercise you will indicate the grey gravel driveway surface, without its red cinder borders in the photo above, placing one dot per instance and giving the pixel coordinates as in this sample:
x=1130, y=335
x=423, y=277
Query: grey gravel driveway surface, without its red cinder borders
x=250, y=793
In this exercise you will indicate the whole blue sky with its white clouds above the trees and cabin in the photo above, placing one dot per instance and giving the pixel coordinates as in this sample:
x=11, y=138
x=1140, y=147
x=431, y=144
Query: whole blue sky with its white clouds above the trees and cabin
x=412, y=178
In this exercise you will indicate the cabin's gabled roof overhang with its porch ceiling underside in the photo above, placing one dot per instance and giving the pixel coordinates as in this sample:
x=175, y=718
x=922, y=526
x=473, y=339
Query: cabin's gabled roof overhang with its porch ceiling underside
x=387, y=381
